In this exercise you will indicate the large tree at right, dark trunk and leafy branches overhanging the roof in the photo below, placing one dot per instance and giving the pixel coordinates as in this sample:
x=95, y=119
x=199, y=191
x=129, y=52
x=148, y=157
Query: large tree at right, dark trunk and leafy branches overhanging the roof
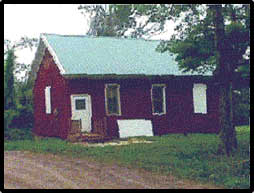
x=204, y=41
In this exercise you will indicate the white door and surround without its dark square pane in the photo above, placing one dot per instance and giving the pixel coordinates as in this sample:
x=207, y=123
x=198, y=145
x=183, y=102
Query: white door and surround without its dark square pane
x=84, y=115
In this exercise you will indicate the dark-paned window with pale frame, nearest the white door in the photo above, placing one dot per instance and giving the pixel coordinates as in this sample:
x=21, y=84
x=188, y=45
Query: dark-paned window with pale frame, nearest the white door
x=112, y=99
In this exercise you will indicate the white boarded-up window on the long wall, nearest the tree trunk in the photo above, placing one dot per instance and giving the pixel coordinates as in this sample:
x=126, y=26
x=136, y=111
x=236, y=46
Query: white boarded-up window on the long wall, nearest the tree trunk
x=199, y=98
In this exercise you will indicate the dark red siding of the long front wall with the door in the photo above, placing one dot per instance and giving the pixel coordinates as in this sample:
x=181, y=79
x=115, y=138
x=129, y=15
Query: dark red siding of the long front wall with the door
x=135, y=97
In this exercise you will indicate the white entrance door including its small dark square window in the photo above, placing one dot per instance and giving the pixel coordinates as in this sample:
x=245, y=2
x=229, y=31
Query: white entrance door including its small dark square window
x=81, y=109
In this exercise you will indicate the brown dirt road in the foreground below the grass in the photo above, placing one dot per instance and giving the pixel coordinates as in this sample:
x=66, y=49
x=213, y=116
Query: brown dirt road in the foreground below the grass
x=35, y=171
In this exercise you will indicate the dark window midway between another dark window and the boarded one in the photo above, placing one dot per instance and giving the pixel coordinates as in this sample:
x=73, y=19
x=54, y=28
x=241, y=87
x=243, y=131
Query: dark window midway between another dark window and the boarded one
x=158, y=99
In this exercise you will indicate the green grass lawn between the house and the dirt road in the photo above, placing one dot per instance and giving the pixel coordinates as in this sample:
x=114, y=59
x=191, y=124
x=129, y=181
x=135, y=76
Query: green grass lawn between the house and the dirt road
x=192, y=157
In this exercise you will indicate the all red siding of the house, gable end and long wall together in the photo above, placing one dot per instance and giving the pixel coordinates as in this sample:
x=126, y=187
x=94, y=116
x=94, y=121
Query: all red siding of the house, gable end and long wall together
x=135, y=97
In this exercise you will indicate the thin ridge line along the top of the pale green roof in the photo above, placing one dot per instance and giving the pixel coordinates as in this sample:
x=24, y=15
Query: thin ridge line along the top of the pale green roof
x=111, y=37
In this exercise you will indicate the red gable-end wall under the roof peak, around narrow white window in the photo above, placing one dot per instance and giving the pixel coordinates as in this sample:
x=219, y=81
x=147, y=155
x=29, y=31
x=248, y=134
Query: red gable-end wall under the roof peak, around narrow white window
x=56, y=123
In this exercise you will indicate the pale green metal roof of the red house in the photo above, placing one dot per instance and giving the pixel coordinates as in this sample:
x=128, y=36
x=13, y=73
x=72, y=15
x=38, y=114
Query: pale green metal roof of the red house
x=107, y=55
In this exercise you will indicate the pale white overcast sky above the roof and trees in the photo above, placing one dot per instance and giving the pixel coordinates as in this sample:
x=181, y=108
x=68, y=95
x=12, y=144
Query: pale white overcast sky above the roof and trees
x=33, y=19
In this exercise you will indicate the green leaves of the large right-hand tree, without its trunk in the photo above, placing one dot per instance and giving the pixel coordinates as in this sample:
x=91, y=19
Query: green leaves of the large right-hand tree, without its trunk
x=194, y=42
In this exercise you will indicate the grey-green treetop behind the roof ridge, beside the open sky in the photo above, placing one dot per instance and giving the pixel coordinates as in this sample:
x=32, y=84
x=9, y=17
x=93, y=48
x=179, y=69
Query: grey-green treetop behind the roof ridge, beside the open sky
x=115, y=20
